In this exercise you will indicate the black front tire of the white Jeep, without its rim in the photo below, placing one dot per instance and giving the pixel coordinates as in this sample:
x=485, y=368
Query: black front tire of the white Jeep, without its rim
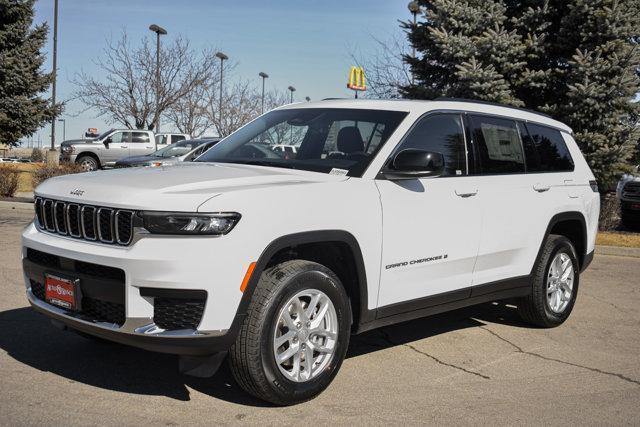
x=251, y=357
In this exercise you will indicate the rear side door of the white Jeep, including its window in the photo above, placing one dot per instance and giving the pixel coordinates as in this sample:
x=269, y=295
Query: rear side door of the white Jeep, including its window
x=514, y=203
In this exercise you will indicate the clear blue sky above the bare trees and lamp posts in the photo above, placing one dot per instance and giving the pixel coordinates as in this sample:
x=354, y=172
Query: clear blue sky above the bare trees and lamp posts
x=304, y=43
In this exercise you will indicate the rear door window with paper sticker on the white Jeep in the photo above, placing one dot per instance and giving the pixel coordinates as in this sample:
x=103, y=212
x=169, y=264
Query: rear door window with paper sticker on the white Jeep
x=498, y=144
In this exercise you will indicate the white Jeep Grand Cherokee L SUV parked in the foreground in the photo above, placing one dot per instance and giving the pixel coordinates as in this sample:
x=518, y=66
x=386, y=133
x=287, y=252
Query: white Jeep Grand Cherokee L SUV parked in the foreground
x=389, y=211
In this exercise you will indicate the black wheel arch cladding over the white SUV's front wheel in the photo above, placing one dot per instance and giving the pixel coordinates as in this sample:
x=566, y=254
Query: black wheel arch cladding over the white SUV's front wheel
x=337, y=250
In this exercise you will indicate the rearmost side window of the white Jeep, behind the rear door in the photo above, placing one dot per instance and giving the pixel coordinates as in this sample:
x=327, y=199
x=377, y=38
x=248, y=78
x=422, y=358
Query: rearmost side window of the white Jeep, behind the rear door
x=549, y=152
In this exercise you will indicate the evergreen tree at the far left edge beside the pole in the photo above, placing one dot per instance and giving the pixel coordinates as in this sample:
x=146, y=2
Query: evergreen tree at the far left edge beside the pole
x=22, y=109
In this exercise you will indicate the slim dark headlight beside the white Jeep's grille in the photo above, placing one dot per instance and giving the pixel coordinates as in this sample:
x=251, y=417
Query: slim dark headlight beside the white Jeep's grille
x=190, y=223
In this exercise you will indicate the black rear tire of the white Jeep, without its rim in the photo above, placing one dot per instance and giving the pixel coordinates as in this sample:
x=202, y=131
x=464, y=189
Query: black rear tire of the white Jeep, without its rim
x=535, y=308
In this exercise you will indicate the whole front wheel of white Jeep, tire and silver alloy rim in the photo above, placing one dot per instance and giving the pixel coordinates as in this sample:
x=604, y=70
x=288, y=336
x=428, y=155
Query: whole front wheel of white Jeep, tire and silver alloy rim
x=295, y=335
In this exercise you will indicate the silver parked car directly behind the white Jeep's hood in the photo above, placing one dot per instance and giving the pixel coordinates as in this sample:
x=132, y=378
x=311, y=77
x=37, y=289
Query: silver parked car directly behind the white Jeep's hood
x=183, y=151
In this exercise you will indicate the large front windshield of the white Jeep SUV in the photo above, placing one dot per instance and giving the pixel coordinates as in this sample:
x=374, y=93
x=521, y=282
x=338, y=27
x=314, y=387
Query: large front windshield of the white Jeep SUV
x=314, y=139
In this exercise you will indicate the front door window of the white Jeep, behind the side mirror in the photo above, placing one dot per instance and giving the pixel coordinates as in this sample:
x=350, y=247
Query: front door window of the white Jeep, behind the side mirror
x=440, y=133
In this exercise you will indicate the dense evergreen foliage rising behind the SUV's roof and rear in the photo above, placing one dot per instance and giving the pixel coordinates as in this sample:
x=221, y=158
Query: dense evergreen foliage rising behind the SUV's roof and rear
x=577, y=60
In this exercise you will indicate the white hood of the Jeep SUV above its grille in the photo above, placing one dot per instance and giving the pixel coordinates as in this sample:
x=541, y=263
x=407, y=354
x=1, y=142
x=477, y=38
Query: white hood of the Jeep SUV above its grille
x=182, y=187
